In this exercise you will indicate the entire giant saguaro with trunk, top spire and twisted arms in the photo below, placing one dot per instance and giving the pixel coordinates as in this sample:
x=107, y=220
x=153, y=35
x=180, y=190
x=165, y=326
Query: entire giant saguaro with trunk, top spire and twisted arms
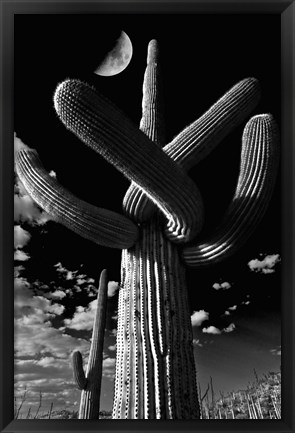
x=160, y=233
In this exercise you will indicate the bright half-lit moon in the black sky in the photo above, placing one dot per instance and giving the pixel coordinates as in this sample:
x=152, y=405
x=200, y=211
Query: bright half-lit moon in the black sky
x=118, y=58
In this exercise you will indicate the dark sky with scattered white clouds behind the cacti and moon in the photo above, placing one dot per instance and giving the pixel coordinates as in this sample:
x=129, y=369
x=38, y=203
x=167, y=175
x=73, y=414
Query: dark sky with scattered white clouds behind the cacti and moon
x=235, y=306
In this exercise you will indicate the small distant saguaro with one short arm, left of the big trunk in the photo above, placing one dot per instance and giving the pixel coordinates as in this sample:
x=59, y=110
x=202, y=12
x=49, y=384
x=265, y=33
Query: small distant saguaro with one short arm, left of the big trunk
x=90, y=384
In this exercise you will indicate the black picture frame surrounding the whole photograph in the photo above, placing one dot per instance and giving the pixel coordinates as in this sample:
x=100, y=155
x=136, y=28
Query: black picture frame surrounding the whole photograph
x=286, y=10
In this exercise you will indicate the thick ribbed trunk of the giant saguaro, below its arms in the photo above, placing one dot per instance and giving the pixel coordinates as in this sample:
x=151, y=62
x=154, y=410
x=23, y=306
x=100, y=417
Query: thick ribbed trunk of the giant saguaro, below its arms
x=155, y=370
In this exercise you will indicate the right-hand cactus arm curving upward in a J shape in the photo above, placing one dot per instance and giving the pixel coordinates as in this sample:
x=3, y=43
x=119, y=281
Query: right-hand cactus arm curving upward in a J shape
x=258, y=168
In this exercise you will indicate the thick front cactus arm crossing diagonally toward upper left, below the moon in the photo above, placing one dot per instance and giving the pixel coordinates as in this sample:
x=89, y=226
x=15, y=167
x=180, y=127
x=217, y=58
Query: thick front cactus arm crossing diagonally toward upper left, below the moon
x=103, y=127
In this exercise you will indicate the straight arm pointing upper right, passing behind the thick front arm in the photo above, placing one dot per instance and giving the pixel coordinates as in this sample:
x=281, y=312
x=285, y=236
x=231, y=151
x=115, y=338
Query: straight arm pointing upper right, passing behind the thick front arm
x=198, y=139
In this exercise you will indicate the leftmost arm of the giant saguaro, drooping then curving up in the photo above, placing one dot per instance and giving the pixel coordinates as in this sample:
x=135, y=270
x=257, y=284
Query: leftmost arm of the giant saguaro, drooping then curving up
x=102, y=226
